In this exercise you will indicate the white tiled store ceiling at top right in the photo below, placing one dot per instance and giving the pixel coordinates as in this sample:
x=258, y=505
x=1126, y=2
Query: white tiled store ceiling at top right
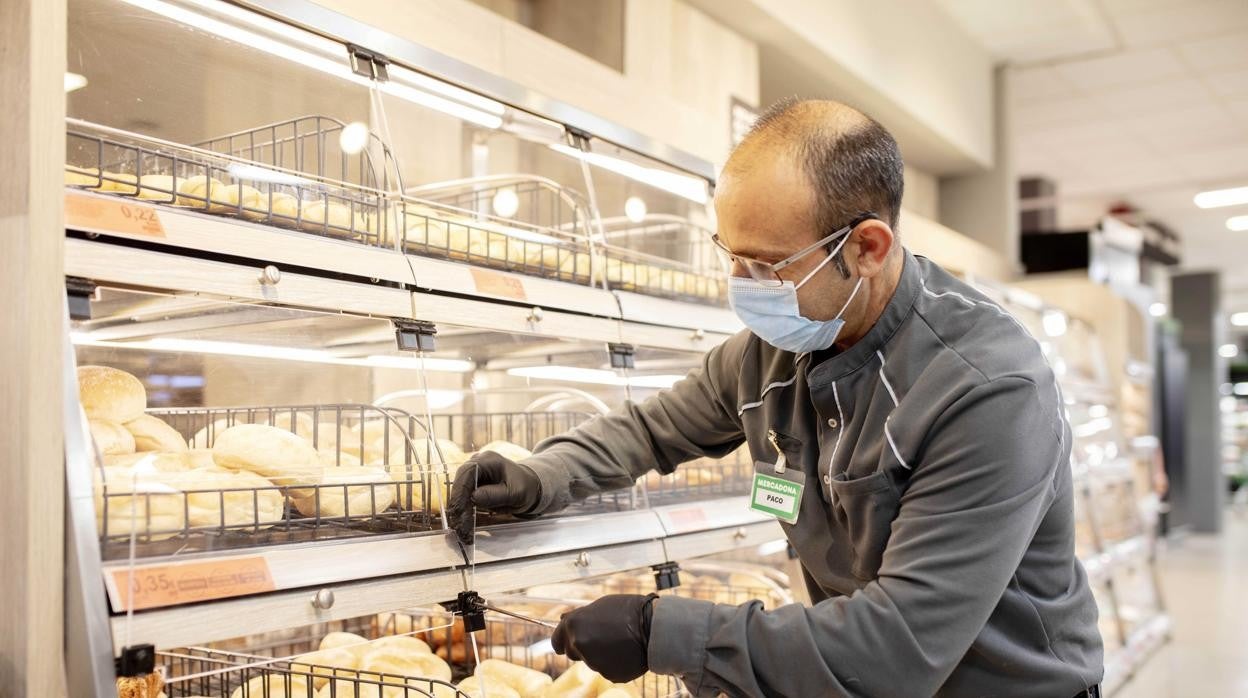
x=1144, y=102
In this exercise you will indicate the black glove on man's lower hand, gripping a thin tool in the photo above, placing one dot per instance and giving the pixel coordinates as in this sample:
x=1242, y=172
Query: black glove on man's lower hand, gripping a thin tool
x=611, y=635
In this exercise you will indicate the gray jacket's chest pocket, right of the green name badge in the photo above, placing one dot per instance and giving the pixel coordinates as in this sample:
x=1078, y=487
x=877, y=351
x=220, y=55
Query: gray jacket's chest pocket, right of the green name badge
x=867, y=508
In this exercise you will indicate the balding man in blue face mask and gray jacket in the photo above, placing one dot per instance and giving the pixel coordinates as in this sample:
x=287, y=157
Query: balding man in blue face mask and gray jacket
x=935, y=526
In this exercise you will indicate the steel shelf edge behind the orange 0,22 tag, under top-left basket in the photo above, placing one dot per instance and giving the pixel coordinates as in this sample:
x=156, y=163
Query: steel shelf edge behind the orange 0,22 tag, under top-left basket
x=224, y=235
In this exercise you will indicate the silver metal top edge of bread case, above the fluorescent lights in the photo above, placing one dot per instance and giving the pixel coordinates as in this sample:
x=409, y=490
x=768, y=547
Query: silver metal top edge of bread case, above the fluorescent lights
x=339, y=27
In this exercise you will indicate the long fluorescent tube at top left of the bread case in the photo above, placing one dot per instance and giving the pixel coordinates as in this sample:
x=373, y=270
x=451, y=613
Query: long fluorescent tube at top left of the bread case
x=336, y=68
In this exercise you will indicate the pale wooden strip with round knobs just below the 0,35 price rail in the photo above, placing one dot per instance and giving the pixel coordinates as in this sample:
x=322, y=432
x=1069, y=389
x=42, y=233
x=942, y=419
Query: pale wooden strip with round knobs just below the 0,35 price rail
x=225, y=620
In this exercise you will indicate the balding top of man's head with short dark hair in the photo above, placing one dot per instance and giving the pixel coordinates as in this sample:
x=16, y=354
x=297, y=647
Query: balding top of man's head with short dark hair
x=851, y=162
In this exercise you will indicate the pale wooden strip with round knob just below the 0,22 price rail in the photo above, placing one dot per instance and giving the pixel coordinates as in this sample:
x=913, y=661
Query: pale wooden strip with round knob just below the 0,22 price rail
x=135, y=268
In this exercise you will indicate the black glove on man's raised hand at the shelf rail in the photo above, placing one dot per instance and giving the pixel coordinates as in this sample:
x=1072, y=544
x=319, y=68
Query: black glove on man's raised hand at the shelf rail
x=494, y=484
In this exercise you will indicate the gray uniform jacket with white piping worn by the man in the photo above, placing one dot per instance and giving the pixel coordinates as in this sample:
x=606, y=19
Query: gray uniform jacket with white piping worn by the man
x=937, y=528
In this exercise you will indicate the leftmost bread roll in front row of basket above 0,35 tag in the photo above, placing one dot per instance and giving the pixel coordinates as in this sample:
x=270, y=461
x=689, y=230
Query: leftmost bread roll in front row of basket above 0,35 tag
x=129, y=500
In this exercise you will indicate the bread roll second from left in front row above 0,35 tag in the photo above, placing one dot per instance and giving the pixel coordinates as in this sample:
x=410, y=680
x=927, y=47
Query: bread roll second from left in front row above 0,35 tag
x=235, y=499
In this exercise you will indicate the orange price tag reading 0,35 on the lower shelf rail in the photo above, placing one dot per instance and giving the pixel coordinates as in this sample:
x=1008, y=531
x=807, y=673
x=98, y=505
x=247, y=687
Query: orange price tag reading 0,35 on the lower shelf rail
x=173, y=585
